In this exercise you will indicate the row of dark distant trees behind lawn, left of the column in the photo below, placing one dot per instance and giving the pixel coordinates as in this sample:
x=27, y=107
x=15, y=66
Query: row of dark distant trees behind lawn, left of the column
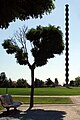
x=22, y=83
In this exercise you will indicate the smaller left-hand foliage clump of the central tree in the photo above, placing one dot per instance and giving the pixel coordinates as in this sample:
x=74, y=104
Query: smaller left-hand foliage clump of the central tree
x=12, y=48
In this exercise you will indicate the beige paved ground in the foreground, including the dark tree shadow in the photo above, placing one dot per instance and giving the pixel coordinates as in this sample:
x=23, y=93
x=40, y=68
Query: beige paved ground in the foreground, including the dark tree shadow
x=46, y=112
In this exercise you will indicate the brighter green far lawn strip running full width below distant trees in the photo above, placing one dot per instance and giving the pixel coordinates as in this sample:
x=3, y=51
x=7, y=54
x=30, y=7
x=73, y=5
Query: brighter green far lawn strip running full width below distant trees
x=42, y=91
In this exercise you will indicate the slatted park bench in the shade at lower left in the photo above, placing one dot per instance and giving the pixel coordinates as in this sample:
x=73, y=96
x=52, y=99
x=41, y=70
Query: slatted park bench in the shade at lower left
x=7, y=102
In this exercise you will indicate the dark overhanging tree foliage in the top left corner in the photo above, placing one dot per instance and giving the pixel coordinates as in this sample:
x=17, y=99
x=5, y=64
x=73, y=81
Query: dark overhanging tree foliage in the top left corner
x=10, y=10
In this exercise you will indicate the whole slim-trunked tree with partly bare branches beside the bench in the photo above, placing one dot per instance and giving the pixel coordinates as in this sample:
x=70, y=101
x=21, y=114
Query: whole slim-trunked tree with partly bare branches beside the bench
x=45, y=43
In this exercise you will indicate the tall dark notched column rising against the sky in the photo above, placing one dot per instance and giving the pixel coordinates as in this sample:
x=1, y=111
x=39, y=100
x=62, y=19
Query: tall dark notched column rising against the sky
x=67, y=44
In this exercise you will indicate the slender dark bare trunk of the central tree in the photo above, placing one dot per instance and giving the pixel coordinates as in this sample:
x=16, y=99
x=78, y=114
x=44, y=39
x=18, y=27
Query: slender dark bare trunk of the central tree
x=32, y=88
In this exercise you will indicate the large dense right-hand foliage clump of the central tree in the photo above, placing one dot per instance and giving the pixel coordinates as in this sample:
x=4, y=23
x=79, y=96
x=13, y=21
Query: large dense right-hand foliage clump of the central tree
x=47, y=41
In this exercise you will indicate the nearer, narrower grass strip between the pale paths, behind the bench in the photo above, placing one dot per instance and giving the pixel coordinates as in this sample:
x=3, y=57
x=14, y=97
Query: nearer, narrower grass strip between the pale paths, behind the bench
x=44, y=100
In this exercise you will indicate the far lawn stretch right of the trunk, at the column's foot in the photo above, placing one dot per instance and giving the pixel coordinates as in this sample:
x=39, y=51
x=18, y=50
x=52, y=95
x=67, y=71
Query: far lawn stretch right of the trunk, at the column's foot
x=57, y=91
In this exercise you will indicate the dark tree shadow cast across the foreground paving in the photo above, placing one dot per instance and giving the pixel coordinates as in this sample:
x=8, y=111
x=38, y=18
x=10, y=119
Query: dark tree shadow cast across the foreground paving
x=33, y=114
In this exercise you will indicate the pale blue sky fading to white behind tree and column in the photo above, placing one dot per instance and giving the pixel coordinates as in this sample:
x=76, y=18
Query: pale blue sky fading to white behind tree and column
x=55, y=68
